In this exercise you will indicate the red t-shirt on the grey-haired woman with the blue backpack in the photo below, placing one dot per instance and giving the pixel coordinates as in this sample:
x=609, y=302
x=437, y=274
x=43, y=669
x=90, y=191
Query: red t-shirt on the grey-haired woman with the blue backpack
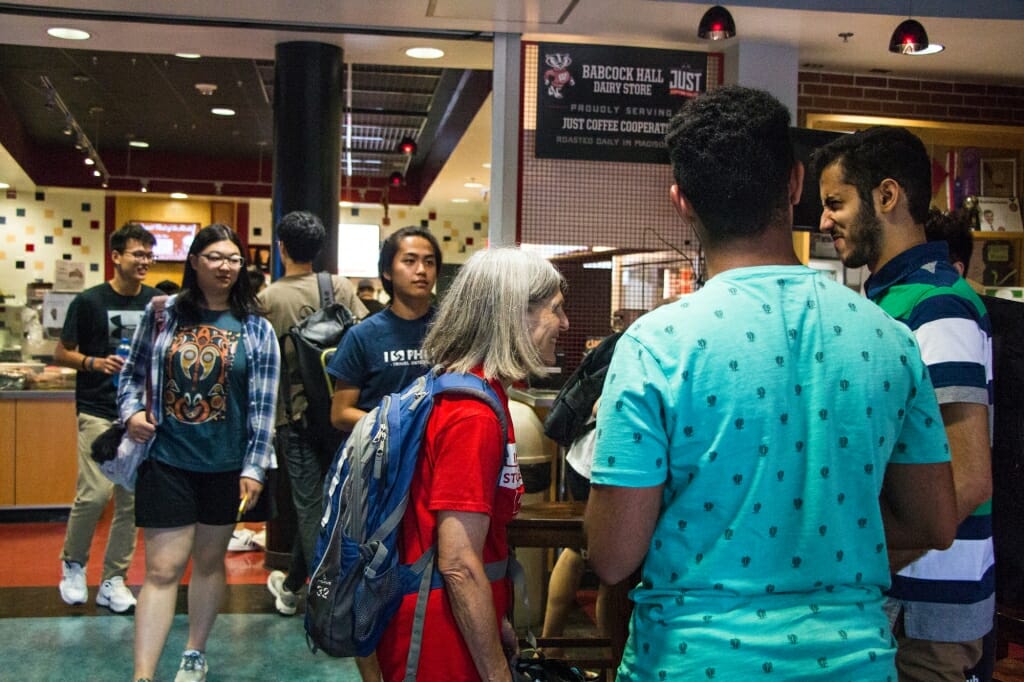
x=461, y=468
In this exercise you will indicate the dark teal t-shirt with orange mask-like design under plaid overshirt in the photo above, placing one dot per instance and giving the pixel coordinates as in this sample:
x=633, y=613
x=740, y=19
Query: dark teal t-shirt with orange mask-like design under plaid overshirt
x=203, y=428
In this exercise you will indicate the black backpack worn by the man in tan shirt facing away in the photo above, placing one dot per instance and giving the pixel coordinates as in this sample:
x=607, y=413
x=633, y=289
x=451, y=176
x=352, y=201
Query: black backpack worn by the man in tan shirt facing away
x=314, y=338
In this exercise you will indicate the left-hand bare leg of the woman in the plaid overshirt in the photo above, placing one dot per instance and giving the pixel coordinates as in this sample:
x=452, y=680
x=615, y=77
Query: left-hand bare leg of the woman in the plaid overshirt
x=167, y=552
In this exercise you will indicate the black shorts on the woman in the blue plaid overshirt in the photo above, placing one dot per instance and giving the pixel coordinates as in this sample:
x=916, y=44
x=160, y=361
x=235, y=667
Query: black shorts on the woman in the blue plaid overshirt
x=169, y=498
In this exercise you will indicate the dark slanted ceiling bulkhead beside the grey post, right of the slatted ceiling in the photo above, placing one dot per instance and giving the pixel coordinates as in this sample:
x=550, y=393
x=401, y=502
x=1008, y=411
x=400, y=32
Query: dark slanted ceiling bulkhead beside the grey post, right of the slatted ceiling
x=465, y=92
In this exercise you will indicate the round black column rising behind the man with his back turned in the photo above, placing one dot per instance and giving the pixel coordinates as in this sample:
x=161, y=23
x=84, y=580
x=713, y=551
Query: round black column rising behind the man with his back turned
x=308, y=107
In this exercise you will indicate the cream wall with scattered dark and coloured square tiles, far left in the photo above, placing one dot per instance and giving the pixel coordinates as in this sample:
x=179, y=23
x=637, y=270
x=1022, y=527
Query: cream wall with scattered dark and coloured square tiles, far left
x=38, y=229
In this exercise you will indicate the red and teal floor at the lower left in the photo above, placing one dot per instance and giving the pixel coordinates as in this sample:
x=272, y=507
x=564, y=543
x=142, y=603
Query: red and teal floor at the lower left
x=45, y=640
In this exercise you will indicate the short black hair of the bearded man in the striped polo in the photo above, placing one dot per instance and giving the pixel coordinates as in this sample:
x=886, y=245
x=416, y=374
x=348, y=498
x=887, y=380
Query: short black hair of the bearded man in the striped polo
x=871, y=156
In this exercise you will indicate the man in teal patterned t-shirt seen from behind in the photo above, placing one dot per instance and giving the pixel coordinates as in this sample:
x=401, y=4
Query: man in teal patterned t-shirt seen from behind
x=763, y=442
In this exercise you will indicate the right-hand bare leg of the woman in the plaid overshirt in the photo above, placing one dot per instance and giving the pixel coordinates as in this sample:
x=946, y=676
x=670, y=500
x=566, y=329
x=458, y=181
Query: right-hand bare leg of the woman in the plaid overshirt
x=206, y=588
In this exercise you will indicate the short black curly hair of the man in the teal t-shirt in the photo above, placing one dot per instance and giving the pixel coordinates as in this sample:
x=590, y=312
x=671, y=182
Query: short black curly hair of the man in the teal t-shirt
x=732, y=158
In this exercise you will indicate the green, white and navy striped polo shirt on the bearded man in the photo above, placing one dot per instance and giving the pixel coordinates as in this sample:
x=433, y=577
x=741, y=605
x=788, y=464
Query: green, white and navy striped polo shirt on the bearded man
x=947, y=595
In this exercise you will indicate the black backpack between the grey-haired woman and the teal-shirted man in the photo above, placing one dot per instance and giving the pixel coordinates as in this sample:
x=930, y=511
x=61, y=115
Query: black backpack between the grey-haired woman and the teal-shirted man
x=570, y=415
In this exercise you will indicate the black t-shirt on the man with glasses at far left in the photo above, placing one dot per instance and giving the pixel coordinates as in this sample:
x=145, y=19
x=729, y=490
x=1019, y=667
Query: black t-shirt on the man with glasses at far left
x=98, y=320
